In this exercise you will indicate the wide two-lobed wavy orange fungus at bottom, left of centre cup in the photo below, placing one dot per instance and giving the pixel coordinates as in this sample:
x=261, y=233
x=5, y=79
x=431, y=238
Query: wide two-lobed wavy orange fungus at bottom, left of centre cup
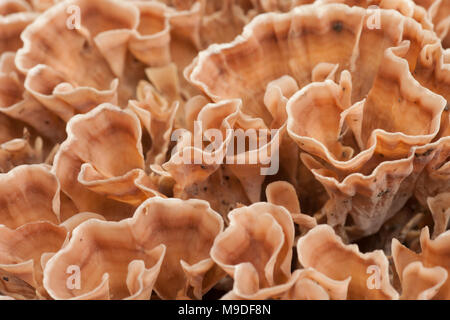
x=164, y=247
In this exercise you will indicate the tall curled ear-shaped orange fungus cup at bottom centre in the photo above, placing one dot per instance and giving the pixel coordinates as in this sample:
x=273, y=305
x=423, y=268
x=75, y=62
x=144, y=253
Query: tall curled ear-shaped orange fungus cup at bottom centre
x=256, y=251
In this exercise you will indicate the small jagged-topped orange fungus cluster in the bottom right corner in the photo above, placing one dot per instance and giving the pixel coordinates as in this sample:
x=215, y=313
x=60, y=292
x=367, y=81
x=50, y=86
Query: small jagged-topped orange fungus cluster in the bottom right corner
x=424, y=275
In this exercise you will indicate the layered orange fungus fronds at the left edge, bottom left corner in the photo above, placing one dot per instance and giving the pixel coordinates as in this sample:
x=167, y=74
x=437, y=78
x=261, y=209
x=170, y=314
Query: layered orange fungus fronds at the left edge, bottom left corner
x=30, y=229
